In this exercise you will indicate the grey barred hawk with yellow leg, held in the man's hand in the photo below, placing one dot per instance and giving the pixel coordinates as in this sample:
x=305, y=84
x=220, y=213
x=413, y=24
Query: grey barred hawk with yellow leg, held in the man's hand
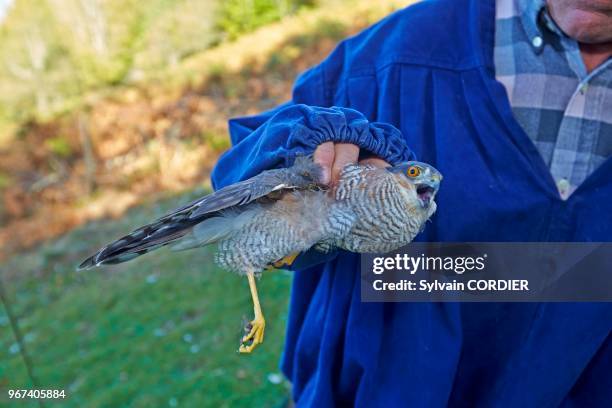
x=267, y=221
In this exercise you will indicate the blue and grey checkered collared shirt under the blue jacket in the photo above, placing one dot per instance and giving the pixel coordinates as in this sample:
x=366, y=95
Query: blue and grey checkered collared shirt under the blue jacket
x=565, y=110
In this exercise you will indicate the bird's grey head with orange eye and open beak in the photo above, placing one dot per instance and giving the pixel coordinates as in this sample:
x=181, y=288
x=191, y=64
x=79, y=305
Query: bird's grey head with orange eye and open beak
x=421, y=178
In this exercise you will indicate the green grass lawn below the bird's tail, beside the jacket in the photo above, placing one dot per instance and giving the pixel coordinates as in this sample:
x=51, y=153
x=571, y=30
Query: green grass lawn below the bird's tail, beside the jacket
x=161, y=330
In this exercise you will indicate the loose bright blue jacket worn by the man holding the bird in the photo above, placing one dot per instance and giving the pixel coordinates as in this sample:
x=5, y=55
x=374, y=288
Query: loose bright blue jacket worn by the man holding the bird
x=428, y=71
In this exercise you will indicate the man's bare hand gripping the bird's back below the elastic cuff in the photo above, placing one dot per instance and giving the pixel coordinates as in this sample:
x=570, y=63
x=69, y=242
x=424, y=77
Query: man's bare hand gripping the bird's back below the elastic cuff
x=334, y=156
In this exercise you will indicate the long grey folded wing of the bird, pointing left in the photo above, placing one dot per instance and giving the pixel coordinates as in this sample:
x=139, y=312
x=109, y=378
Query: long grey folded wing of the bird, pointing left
x=304, y=174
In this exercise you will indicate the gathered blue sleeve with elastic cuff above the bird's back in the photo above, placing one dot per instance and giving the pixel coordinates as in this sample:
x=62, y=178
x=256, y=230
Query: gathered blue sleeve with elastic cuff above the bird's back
x=276, y=137
